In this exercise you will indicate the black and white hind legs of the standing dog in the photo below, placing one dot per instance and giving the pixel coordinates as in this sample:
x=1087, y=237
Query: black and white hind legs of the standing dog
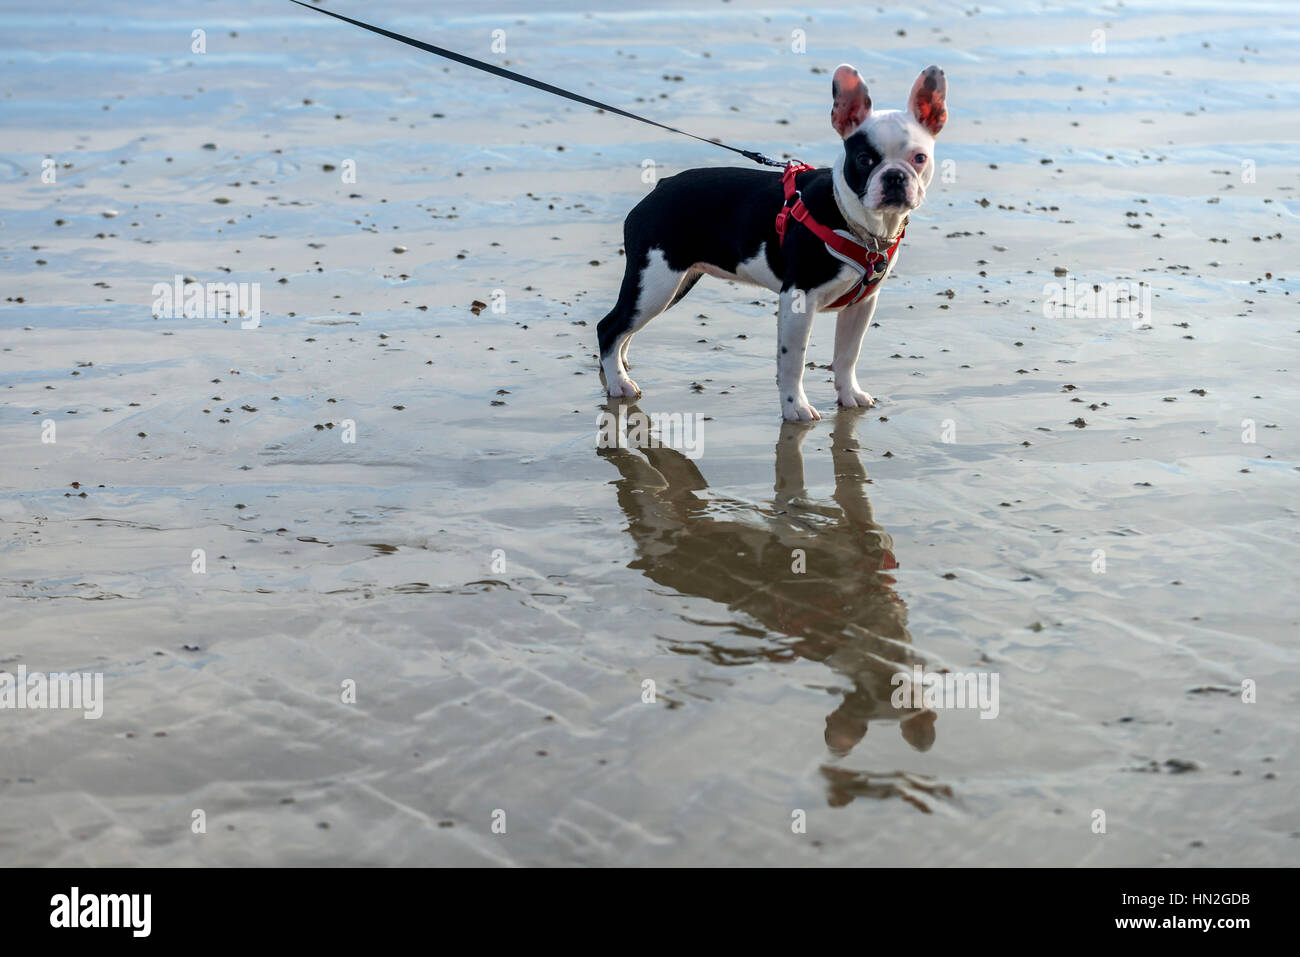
x=649, y=288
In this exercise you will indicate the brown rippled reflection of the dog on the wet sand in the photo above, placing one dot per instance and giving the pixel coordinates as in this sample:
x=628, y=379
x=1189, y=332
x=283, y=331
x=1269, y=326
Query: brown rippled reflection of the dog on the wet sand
x=818, y=574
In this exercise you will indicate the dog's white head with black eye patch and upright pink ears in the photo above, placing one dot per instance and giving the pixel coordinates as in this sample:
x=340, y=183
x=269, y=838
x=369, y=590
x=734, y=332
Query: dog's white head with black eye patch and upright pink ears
x=889, y=155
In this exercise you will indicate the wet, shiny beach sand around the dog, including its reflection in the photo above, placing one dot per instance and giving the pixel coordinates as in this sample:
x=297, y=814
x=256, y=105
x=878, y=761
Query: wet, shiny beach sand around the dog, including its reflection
x=500, y=588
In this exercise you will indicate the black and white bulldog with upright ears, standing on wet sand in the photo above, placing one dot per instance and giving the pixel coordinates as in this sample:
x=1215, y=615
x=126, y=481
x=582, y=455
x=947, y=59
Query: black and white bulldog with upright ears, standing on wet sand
x=723, y=223
